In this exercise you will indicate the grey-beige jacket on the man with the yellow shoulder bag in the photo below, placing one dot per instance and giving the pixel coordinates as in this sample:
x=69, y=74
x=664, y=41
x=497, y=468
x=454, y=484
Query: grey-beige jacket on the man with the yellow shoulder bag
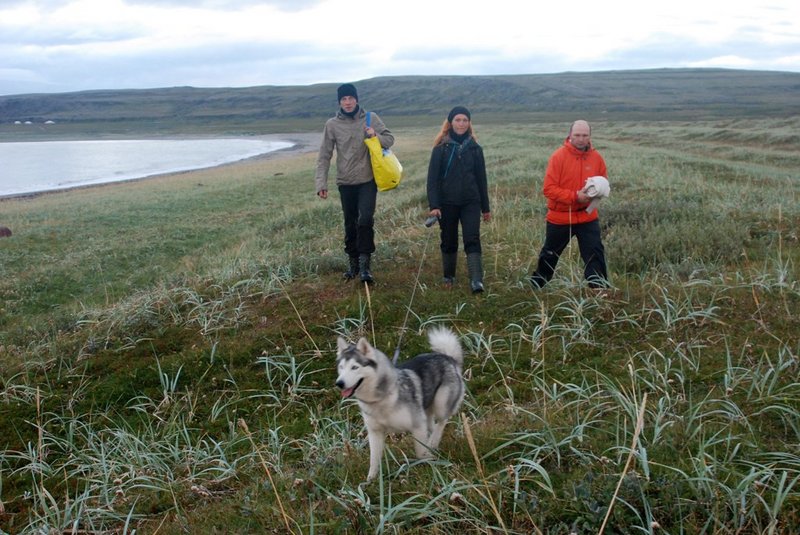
x=346, y=134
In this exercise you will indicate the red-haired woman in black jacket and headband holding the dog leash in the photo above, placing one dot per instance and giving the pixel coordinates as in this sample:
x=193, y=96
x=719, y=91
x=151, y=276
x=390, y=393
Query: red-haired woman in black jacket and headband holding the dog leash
x=458, y=192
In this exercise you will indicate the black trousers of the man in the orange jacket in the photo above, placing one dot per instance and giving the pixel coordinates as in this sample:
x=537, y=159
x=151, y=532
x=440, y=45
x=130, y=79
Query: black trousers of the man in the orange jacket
x=556, y=240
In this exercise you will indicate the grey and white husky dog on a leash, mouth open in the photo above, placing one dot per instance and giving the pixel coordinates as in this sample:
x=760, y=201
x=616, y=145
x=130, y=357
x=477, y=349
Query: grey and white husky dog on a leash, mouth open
x=418, y=396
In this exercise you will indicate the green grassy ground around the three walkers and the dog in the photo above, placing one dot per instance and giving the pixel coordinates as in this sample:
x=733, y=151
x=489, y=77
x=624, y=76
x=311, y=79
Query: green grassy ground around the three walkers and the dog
x=167, y=349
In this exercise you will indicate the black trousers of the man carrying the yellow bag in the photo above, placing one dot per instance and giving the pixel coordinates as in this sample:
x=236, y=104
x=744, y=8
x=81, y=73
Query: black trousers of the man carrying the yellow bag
x=358, y=205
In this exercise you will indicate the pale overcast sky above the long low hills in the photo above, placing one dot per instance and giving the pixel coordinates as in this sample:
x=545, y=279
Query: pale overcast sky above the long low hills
x=70, y=45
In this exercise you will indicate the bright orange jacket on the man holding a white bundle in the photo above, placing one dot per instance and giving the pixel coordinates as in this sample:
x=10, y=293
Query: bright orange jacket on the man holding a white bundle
x=566, y=173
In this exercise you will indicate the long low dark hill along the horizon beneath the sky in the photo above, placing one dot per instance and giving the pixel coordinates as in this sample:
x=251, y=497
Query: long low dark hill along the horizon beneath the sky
x=661, y=93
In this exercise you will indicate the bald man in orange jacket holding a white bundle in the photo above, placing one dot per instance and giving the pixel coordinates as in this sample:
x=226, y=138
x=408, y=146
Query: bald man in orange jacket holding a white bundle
x=564, y=186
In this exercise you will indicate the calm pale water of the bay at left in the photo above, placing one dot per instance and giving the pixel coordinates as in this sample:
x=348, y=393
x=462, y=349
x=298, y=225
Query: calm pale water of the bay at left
x=27, y=167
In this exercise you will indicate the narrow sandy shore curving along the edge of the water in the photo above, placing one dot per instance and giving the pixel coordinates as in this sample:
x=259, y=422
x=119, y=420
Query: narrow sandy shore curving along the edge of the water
x=302, y=143
